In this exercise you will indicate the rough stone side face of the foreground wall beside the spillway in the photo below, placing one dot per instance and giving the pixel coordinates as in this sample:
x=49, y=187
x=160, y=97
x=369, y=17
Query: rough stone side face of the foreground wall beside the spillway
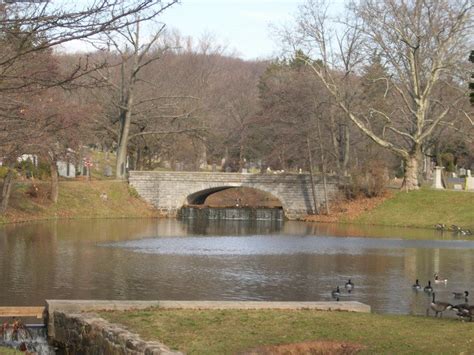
x=87, y=333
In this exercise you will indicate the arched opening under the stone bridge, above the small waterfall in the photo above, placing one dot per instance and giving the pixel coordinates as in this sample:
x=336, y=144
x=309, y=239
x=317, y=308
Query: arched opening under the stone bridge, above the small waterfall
x=232, y=197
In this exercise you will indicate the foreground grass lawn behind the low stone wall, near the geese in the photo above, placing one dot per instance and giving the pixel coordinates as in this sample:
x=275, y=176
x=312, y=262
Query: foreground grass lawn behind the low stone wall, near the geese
x=234, y=331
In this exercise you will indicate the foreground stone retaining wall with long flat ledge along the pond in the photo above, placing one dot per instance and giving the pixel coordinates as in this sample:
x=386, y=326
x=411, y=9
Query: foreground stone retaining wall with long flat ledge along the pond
x=72, y=326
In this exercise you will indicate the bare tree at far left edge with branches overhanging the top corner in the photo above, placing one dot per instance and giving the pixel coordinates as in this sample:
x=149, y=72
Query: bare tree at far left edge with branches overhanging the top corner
x=28, y=32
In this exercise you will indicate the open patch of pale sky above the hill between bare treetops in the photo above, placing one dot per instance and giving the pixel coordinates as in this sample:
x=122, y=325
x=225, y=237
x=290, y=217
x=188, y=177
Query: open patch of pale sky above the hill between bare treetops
x=243, y=25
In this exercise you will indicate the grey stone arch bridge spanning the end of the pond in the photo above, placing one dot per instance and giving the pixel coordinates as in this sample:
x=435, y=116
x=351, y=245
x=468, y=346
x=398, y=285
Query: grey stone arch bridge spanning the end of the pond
x=170, y=191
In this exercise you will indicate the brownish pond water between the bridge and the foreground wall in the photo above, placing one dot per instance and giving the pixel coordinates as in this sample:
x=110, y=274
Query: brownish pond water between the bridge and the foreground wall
x=228, y=260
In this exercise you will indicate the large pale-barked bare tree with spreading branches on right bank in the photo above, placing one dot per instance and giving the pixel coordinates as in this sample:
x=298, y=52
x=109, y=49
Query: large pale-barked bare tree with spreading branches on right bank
x=421, y=43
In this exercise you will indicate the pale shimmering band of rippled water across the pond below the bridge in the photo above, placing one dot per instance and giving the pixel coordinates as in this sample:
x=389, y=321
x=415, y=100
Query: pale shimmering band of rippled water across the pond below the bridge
x=279, y=245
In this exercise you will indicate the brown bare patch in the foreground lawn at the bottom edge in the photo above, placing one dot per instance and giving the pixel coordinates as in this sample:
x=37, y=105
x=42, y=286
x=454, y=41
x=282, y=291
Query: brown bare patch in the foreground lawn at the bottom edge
x=314, y=347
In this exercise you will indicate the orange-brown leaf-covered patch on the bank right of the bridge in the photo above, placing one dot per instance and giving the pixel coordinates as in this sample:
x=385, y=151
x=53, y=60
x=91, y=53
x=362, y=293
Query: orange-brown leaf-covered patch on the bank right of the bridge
x=349, y=209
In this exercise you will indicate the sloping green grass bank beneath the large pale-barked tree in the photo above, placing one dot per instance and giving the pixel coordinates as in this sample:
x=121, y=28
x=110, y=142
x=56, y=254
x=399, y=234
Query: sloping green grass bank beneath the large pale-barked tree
x=423, y=208
